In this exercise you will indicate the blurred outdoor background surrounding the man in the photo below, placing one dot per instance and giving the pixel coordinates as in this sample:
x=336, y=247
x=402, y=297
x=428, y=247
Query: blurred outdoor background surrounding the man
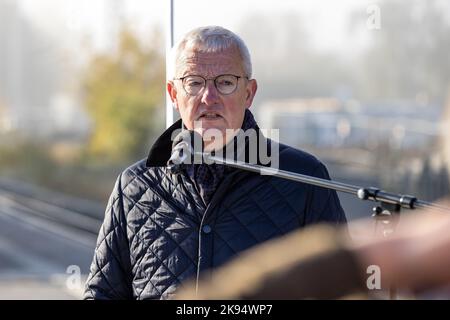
x=363, y=85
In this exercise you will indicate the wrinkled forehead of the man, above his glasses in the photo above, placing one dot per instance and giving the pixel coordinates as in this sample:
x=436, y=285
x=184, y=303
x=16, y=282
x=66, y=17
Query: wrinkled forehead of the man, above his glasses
x=209, y=63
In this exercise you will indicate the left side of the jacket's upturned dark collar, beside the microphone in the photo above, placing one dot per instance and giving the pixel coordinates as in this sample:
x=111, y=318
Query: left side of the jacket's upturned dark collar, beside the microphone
x=162, y=148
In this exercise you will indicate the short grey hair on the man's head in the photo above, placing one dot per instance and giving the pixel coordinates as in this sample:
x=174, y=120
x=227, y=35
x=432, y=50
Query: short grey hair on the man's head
x=211, y=39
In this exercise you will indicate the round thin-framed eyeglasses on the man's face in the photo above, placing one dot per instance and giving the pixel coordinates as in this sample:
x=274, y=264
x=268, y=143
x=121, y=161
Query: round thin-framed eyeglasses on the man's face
x=225, y=83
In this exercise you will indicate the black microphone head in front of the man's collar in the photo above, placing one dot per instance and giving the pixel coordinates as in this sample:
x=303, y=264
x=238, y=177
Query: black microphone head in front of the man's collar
x=183, y=150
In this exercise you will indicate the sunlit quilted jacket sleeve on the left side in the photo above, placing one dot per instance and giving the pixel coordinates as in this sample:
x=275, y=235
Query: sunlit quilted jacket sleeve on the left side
x=110, y=275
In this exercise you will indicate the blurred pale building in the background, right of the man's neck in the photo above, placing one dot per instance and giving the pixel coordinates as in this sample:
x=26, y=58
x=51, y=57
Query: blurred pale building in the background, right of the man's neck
x=330, y=122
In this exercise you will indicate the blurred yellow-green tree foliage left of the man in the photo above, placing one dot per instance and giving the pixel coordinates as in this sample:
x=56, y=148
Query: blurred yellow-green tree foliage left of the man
x=123, y=91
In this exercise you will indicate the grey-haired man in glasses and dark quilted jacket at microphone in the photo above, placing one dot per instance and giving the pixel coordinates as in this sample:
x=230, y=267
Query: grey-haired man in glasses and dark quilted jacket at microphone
x=162, y=228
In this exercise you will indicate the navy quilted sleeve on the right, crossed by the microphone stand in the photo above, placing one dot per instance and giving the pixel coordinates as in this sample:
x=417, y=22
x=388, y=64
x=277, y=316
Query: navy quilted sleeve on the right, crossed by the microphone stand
x=323, y=204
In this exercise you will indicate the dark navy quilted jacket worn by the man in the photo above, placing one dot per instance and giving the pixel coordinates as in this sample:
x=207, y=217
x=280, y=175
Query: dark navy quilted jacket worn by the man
x=157, y=232
